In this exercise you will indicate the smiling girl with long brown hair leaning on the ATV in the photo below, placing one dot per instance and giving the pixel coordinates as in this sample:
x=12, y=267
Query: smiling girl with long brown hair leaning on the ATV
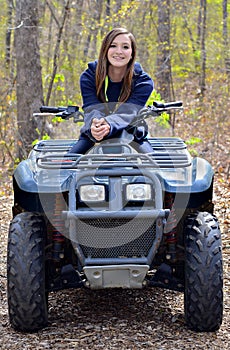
x=114, y=88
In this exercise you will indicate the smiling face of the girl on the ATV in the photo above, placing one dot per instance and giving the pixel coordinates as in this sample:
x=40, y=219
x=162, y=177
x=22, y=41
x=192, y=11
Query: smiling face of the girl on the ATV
x=120, y=51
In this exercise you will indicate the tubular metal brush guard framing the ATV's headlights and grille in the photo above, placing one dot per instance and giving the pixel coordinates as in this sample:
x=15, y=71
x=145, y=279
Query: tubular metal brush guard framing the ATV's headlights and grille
x=115, y=211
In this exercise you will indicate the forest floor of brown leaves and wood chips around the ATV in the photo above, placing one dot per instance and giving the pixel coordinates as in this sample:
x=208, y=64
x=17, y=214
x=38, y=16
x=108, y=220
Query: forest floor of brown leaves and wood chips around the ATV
x=121, y=319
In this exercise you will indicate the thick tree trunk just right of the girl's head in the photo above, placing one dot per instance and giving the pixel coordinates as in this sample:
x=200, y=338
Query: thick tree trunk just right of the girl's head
x=163, y=50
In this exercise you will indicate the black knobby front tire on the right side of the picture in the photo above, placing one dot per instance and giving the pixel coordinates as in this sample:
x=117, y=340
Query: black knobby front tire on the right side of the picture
x=203, y=298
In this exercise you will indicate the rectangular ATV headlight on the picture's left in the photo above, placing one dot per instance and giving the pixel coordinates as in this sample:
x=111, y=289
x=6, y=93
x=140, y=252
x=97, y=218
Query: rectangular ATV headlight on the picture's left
x=92, y=193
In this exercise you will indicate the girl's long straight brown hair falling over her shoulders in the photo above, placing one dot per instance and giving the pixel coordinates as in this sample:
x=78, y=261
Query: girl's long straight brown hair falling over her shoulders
x=102, y=65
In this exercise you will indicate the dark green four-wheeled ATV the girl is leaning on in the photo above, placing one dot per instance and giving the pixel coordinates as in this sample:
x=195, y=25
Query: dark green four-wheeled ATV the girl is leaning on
x=114, y=218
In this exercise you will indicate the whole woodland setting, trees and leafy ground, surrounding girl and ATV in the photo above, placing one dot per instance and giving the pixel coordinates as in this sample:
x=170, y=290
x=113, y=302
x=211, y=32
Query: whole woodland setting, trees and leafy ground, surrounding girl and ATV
x=185, y=46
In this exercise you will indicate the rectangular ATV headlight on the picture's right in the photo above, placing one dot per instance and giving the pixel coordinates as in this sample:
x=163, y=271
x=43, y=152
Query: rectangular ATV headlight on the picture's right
x=138, y=192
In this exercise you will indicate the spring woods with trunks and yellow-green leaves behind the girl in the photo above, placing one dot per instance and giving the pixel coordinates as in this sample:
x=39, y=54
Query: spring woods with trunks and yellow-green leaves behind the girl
x=182, y=44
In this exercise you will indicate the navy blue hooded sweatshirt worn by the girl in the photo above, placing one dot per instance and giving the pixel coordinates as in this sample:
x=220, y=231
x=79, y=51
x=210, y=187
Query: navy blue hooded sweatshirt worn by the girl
x=119, y=117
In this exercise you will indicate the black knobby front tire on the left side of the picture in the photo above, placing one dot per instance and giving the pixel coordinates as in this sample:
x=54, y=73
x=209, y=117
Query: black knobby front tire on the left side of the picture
x=27, y=298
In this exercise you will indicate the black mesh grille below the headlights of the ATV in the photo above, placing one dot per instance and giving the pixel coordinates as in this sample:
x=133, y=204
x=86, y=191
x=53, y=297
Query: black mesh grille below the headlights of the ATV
x=114, y=238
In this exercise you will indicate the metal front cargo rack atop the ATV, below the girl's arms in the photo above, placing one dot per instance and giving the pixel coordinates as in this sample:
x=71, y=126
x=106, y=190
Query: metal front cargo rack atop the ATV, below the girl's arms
x=167, y=153
